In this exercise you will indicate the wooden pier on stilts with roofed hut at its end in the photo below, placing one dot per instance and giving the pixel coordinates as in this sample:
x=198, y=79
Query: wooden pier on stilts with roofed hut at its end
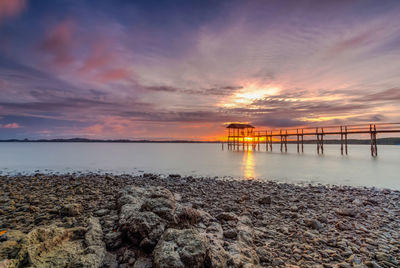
x=243, y=136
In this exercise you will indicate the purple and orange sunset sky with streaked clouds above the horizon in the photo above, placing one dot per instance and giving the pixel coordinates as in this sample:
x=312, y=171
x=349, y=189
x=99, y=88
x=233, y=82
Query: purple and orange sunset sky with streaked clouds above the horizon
x=121, y=69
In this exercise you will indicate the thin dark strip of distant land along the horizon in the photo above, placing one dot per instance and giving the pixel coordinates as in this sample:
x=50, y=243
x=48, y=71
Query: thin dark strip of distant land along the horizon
x=381, y=141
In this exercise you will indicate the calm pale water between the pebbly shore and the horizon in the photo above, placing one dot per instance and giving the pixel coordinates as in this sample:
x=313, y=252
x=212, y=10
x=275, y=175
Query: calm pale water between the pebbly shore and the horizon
x=358, y=168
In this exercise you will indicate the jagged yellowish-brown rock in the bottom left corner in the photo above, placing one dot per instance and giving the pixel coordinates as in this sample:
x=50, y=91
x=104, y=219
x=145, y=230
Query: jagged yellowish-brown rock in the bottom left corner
x=57, y=247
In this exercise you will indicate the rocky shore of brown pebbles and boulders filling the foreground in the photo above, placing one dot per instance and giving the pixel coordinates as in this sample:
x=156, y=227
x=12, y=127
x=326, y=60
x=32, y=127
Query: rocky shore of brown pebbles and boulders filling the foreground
x=96, y=220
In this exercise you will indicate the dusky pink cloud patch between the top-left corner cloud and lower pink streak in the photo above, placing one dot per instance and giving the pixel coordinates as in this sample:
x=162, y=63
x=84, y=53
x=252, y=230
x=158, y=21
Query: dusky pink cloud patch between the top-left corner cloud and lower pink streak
x=58, y=42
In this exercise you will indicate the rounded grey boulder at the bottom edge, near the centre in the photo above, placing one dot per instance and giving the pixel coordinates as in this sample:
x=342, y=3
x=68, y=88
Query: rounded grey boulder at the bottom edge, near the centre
x=180, y=248
